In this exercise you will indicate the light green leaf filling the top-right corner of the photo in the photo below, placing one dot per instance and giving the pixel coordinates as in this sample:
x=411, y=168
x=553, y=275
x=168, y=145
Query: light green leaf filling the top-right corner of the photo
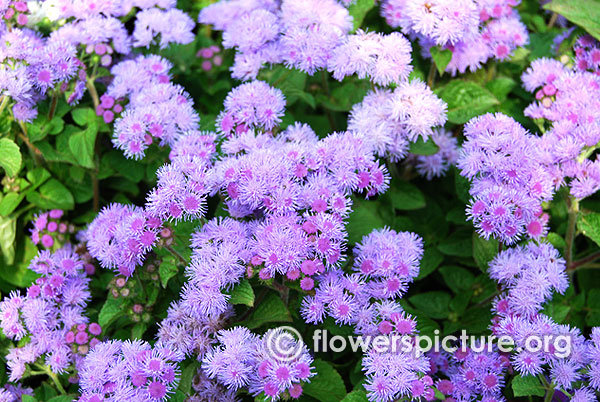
x=585, y=13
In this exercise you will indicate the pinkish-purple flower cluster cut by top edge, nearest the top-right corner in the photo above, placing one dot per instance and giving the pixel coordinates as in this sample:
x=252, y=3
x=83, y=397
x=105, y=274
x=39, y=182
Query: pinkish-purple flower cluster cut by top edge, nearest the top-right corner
x=474, y=31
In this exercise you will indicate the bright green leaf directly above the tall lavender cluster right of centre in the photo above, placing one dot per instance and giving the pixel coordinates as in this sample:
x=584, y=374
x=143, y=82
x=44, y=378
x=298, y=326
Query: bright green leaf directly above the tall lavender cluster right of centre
x=466, y=99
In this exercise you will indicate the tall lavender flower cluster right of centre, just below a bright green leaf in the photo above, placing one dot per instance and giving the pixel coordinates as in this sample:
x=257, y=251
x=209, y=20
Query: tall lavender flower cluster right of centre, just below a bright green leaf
x=509, y=181
